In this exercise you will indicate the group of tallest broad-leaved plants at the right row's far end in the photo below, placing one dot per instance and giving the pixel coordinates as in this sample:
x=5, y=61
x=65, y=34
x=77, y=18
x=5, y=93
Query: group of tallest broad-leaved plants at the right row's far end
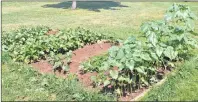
x=173, y=35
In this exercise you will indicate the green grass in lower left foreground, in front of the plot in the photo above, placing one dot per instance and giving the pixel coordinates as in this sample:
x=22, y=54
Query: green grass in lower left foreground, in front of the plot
x=21, y=82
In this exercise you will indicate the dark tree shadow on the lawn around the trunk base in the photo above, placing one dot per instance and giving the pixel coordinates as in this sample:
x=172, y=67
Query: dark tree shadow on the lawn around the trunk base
x=89, y=5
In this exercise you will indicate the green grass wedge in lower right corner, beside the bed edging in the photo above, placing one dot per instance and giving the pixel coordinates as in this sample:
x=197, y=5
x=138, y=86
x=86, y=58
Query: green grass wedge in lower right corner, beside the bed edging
x=180, y=85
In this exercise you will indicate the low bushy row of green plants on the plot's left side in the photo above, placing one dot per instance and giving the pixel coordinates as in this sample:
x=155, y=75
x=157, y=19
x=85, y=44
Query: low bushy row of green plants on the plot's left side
x=33, y=44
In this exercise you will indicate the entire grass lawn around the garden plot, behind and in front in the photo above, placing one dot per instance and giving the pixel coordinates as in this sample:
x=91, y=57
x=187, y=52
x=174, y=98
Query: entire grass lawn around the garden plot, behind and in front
x=117, y=19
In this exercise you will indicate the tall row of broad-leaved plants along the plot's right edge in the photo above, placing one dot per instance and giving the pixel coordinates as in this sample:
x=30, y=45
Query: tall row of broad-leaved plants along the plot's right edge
x=135, y=63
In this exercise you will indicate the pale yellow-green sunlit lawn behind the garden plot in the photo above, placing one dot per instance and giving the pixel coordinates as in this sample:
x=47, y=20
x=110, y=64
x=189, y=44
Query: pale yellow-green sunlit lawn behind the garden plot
x=106, y=17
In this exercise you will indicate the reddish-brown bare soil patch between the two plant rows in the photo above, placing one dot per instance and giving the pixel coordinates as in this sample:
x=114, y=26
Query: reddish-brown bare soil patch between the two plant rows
x=79, y=55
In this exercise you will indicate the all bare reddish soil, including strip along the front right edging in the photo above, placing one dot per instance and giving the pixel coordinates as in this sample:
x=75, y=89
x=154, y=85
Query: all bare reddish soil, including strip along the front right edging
x=83, y=54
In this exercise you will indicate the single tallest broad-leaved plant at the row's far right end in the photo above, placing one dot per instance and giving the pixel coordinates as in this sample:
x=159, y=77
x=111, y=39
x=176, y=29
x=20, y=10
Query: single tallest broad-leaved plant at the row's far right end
x=180, y=21
